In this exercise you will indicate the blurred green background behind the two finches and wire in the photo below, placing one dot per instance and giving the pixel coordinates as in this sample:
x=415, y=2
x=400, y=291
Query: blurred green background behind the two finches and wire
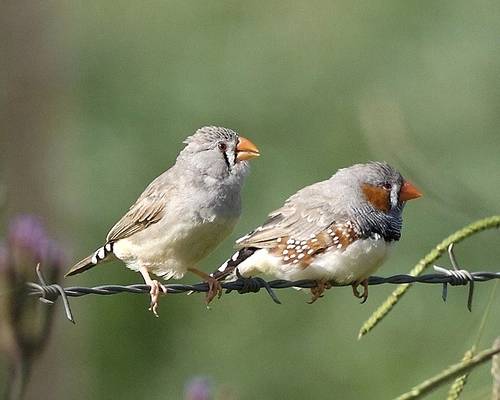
x=98, y=96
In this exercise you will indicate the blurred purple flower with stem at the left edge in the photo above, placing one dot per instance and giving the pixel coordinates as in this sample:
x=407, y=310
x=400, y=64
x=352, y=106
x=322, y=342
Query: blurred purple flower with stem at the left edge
x=25, y=326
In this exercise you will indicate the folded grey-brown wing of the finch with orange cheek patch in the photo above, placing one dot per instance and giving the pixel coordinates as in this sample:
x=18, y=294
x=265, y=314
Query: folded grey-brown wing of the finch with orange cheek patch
x=300, y=218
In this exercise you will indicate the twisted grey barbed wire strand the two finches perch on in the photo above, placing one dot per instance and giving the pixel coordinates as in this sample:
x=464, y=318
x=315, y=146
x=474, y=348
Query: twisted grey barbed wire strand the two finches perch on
x=49, y=293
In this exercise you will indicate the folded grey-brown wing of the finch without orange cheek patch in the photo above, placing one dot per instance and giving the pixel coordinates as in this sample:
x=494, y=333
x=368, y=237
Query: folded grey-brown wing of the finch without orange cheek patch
x=149, y=208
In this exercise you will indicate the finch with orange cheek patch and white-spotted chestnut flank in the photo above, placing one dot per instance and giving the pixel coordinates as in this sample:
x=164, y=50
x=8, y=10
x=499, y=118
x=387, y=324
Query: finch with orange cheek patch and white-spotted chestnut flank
x=337, y=230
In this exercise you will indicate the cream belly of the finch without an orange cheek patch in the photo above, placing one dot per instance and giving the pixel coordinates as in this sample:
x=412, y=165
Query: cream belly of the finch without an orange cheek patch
x=168, y=250
